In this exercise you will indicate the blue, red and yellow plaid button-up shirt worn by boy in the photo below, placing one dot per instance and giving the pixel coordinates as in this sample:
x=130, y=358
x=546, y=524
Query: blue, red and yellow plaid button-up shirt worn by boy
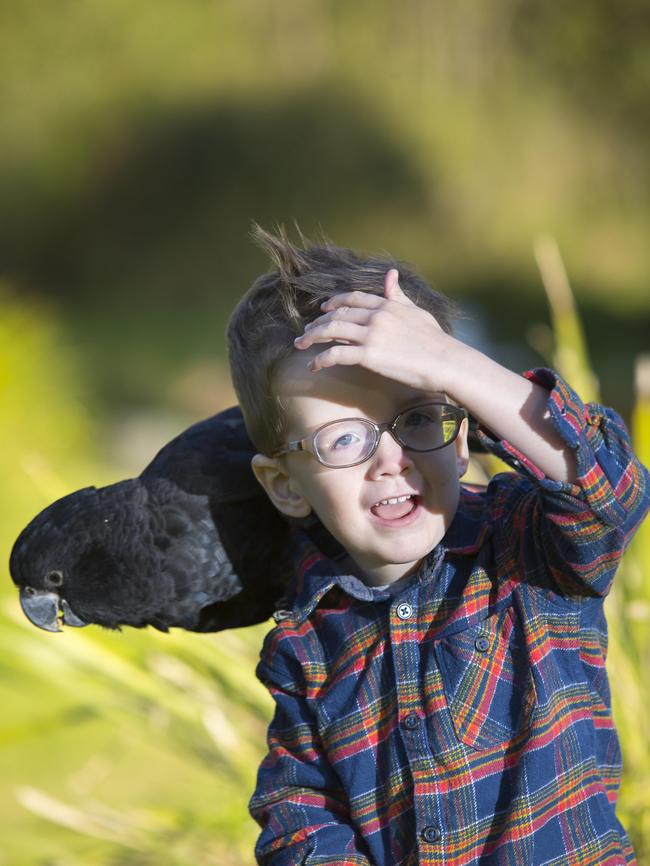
x=467, y=718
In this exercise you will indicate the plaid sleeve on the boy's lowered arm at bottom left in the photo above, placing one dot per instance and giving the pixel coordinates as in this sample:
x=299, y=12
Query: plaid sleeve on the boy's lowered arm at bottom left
x=298, y=801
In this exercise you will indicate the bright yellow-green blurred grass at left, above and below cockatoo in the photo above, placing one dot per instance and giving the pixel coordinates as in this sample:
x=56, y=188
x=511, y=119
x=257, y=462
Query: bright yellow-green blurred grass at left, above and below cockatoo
x=133, y=748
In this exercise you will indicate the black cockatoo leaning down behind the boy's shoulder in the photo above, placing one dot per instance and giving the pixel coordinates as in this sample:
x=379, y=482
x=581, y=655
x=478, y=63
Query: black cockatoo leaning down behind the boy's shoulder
x=193, y=542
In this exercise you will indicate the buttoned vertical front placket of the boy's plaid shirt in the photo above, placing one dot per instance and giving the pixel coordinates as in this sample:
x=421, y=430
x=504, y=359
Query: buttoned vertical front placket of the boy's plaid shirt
x=411, y=720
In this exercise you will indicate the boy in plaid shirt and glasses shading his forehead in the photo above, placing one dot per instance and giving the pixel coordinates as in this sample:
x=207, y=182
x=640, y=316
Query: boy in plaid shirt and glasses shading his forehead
x=440, y=691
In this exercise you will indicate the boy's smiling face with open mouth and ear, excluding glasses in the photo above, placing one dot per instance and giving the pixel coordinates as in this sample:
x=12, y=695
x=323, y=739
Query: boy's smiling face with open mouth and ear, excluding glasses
x=385, y=547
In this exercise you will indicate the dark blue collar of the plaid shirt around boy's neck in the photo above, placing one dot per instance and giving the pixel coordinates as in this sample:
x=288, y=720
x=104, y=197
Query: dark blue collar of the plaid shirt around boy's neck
x=316, y=574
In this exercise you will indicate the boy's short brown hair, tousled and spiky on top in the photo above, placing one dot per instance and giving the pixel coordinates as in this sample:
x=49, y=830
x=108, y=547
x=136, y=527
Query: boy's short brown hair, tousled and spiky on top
x=279, y=304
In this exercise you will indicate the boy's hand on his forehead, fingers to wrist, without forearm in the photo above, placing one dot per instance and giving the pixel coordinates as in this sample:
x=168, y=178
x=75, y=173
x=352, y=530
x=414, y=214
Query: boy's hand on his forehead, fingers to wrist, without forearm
x=387, y=335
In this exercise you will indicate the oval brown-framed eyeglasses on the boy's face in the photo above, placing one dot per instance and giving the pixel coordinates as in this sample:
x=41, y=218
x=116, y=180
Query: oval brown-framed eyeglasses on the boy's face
x=350, y=441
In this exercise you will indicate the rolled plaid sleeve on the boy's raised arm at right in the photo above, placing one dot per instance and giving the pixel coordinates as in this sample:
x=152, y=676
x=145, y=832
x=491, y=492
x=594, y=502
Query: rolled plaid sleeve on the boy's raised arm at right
x=578, y=530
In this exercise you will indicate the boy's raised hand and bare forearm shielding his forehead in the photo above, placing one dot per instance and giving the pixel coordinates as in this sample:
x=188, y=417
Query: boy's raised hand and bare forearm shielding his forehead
x=395, y=338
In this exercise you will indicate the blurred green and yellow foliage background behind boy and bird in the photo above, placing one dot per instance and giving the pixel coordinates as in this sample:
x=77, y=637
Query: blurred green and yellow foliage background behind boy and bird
x=137, y=143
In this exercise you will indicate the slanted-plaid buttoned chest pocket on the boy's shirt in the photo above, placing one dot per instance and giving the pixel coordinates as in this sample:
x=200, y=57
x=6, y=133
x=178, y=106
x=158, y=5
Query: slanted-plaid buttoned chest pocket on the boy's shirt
x=488, y=681
